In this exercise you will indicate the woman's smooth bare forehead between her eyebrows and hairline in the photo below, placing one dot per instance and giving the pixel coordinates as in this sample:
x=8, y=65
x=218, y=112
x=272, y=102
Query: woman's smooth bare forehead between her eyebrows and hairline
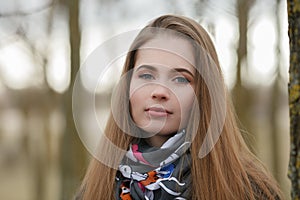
x=167, y=51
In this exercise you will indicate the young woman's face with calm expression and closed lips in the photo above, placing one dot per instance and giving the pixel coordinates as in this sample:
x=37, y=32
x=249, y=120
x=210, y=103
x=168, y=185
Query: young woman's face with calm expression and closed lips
x=162, y=85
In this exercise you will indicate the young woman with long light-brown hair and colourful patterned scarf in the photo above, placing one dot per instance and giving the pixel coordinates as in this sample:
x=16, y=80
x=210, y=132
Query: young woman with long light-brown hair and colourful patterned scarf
x=173, y=120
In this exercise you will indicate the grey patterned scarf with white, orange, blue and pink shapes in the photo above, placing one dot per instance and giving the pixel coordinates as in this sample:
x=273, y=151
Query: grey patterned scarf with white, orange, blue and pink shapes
x=152, y=173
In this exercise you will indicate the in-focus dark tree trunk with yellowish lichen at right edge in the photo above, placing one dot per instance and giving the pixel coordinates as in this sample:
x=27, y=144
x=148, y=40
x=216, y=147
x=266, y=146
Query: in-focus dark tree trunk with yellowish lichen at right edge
x=294, y=95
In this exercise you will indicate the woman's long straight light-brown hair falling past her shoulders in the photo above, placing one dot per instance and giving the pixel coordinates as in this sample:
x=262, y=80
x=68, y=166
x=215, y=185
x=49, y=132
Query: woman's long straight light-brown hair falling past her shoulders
x=228, y=171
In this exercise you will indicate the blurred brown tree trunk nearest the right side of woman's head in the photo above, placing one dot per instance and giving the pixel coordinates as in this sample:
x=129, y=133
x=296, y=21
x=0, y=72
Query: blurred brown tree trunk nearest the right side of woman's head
x=242, y=96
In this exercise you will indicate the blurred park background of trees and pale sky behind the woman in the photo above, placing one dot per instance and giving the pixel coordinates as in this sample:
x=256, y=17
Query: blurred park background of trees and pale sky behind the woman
x=43, y=43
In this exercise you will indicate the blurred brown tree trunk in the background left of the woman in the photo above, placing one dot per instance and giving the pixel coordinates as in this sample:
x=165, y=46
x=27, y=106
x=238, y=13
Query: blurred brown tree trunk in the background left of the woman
x=73, y=156
